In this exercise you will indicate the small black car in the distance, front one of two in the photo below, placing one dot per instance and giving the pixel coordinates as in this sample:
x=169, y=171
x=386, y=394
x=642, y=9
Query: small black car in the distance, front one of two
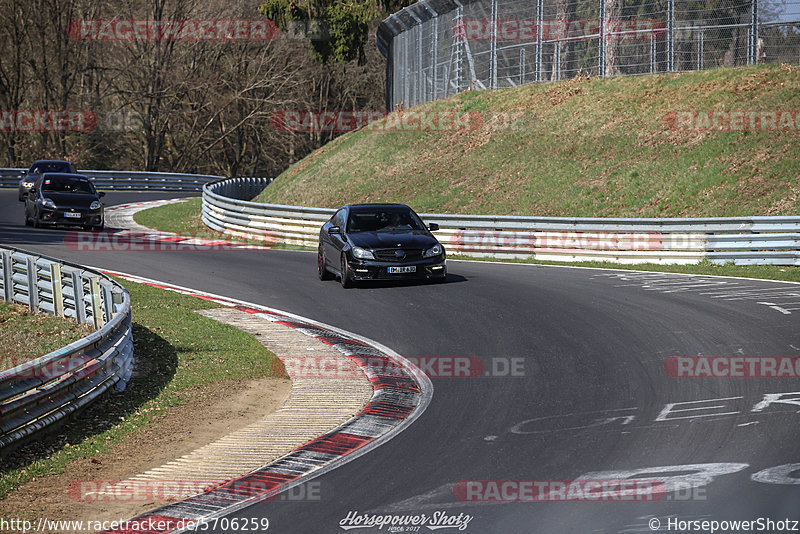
x=64, y=199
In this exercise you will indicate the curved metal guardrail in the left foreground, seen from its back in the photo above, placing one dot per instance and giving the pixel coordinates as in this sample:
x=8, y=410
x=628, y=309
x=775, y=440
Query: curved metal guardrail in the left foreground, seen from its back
x=38, y=393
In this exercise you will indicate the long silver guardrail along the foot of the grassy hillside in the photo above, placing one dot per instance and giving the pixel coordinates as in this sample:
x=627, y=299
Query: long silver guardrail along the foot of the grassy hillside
x=740, y=240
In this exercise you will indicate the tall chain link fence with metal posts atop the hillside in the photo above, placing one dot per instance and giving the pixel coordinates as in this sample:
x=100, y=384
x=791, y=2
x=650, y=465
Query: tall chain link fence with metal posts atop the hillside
x=436, y=48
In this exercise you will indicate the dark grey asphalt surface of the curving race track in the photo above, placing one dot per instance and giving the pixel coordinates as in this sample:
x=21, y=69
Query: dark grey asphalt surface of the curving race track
x=589, y=394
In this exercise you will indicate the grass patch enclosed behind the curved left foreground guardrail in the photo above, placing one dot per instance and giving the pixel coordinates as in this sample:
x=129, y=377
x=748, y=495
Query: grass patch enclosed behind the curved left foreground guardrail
x=25, y=335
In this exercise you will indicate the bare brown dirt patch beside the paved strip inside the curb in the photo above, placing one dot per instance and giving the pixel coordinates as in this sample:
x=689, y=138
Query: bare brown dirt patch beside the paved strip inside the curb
x=214, y=412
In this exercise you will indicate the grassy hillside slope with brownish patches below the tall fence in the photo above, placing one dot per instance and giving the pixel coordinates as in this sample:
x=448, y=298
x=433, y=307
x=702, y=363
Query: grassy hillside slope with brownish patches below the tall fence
x=584, y=147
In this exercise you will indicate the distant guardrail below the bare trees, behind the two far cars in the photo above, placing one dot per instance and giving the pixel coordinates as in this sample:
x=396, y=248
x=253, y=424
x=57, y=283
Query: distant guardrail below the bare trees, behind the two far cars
x=127, y=180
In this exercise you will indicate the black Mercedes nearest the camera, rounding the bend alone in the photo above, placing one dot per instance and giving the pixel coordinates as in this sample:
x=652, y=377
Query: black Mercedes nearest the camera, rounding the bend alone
x=379, y=242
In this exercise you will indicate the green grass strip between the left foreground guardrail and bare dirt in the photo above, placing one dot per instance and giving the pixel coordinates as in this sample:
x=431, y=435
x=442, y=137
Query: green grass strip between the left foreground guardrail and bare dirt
x=178, y=352
